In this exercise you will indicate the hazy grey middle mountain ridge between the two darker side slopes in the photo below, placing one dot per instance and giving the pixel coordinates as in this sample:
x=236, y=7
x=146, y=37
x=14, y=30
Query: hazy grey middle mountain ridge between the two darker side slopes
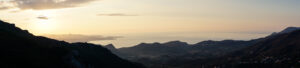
x=155, y=55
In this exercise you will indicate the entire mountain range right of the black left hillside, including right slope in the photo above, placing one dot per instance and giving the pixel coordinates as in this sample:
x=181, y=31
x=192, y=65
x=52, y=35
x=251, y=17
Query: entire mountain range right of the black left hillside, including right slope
x=177, y=54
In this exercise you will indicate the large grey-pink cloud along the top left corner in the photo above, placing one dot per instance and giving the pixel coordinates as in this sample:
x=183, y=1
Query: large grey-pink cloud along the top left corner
x=42, y=4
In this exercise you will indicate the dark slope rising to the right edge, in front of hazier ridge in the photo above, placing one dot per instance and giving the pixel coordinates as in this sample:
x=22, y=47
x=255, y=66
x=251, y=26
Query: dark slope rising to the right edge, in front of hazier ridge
x=278, y=51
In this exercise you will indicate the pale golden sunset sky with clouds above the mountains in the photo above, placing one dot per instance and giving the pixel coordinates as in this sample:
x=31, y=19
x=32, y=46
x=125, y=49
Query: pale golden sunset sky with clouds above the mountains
x=130, y=22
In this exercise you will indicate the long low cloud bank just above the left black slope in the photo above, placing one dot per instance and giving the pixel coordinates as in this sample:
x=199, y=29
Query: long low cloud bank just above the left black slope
x=81, y=38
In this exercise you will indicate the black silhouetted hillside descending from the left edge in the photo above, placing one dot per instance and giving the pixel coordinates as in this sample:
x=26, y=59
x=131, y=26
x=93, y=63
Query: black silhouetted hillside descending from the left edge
x=20, y=49
